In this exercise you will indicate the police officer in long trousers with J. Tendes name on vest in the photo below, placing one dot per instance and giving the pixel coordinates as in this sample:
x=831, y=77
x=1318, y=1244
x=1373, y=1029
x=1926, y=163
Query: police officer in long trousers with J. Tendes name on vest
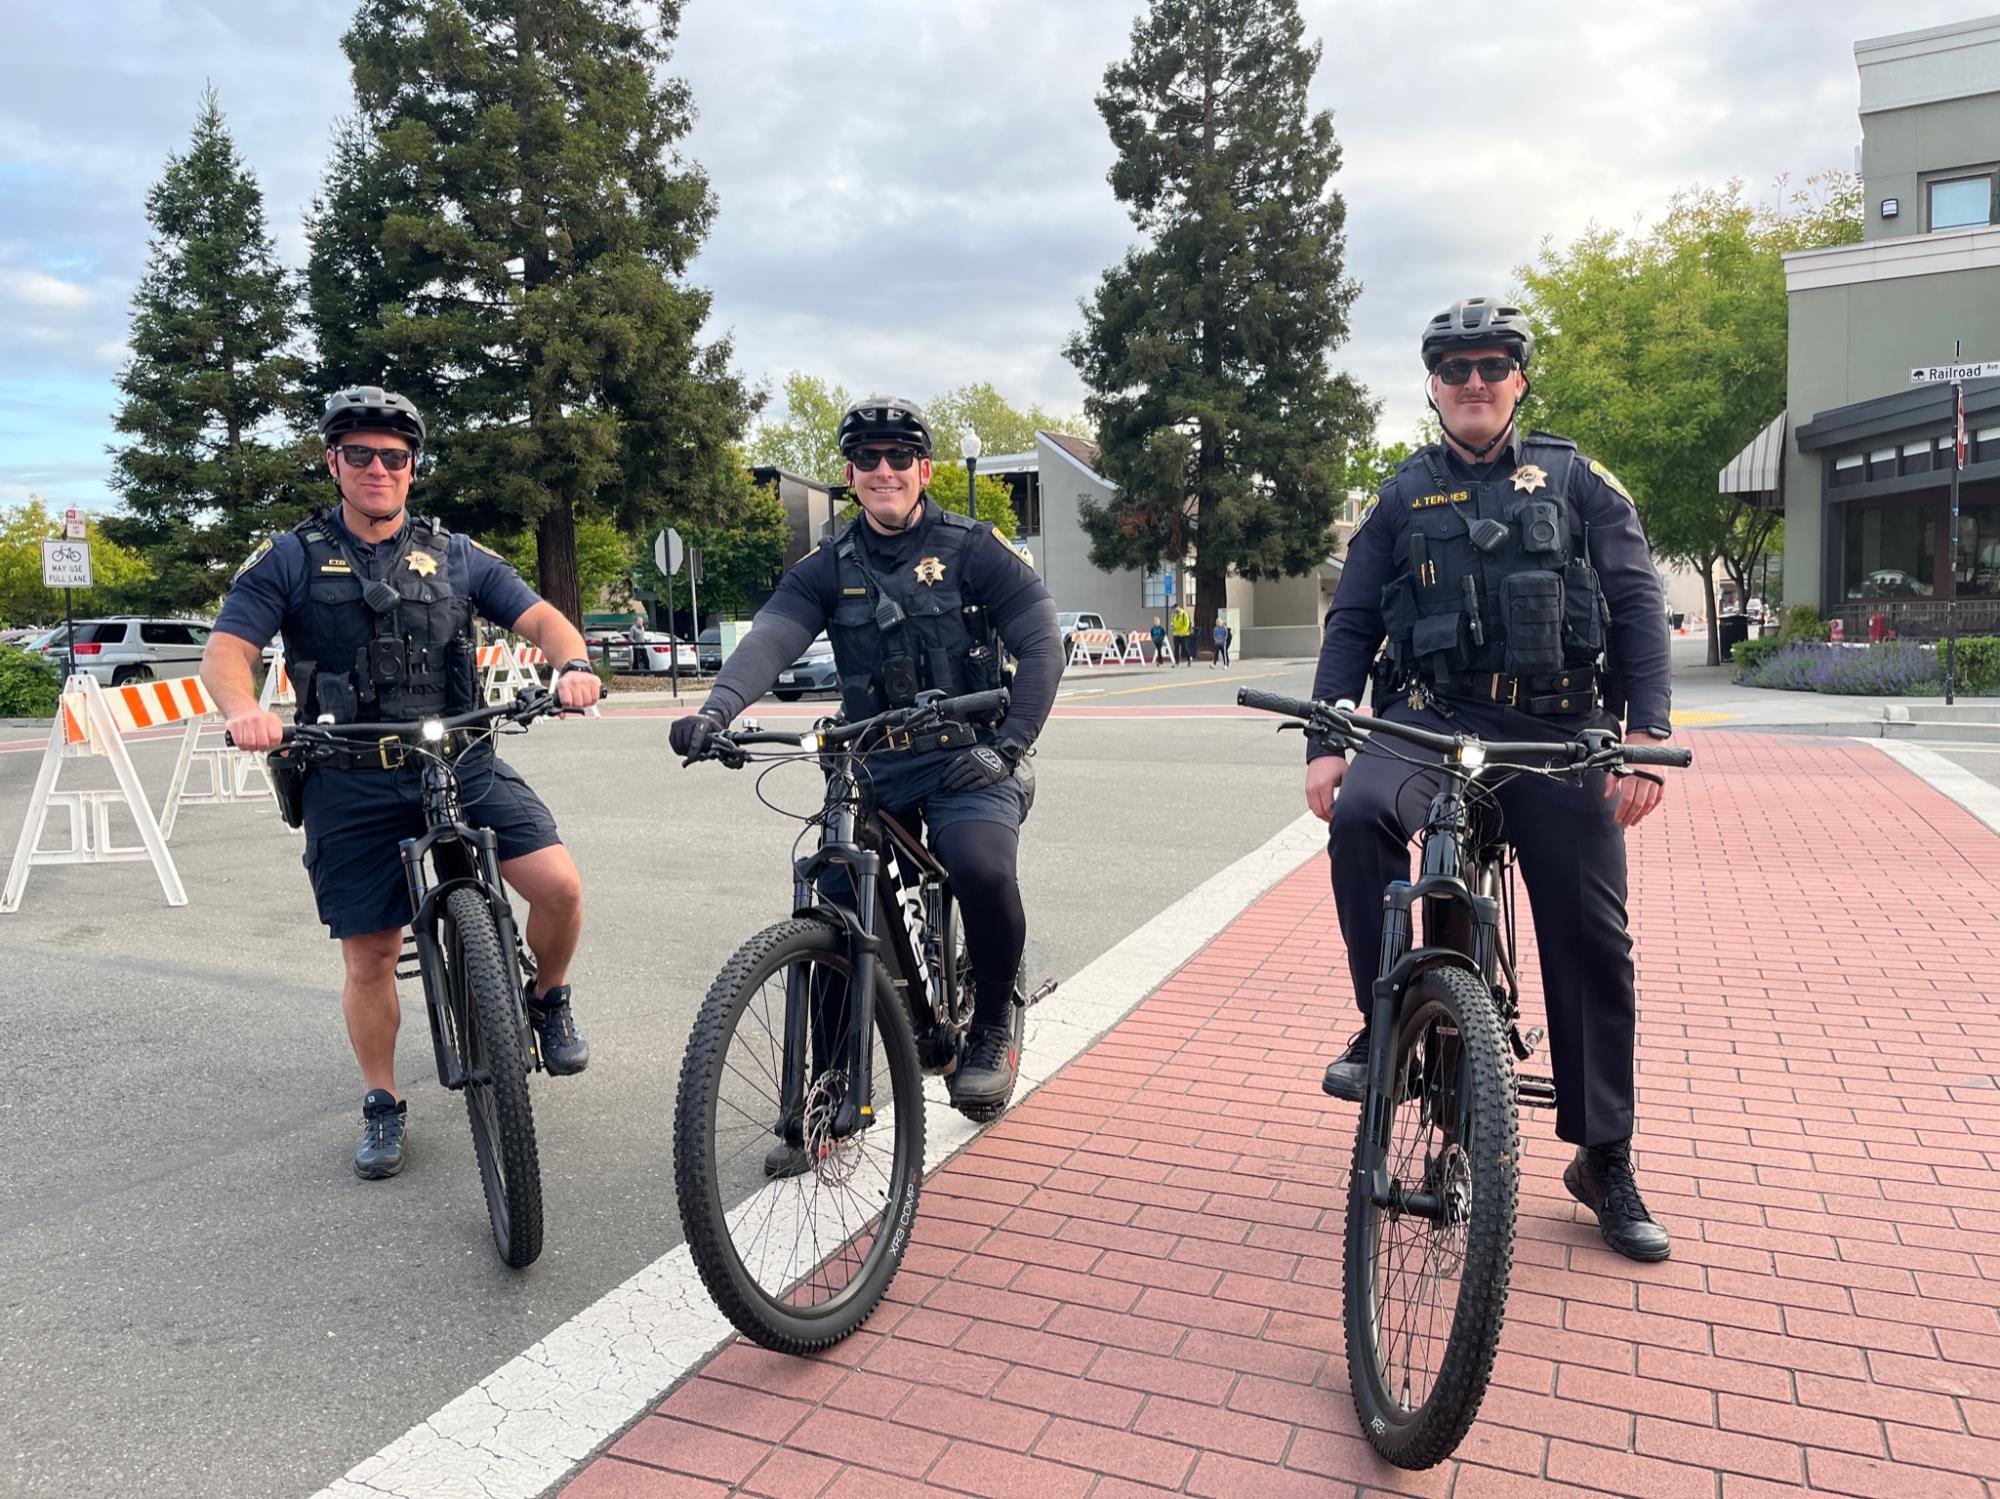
x=1505, y=573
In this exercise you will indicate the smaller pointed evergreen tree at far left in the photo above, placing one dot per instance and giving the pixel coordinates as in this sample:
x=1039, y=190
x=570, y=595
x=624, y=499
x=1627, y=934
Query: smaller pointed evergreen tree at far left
x=211, y=379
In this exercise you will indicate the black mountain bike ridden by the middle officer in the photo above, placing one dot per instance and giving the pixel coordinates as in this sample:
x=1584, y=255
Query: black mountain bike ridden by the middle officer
x=797, y=1172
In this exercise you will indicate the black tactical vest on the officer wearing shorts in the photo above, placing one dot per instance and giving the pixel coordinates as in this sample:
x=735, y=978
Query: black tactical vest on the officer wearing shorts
x=411, y=661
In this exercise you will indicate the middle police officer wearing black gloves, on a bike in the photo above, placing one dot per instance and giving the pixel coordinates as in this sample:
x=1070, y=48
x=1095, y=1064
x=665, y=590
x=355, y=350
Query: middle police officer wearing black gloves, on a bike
x=917, y=599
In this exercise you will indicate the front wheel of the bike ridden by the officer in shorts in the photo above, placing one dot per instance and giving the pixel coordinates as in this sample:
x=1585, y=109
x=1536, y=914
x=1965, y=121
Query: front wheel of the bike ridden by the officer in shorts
x=485, y=1022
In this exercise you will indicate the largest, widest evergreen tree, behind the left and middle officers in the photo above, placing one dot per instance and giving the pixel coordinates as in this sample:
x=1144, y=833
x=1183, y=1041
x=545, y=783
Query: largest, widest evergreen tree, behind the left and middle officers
x=503, y=237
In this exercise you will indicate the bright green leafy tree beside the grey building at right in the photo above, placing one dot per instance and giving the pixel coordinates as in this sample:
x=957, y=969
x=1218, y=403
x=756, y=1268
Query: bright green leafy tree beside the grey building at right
x=1663, y=353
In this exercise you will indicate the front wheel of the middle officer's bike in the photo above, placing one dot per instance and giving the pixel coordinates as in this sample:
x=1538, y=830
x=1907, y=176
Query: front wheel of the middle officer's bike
x=795, y=1224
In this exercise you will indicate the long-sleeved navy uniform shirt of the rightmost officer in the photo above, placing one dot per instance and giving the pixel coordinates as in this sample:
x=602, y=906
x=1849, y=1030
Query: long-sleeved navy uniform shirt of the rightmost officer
x=1379, y=553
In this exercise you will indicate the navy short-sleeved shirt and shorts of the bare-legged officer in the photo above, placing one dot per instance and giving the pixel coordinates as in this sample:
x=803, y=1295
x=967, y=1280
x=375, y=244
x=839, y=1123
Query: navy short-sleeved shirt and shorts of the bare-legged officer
x=355, y=818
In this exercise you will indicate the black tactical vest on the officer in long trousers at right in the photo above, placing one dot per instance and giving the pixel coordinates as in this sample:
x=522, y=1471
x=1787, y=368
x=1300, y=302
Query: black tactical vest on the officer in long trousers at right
x=1529, y=607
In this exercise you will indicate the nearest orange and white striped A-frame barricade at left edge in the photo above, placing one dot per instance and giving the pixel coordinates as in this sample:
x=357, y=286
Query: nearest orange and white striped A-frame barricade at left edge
x=95, y=723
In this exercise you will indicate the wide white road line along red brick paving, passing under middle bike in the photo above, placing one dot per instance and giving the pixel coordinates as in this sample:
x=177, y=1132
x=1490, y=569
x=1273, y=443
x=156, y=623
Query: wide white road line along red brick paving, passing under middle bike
x=535, y=1418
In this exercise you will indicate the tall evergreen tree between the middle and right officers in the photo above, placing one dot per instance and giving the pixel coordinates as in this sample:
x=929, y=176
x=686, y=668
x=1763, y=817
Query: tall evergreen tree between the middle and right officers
x=1207, y=349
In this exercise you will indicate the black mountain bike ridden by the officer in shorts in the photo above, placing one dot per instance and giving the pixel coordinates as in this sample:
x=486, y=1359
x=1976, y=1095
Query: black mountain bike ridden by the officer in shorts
x=465, y=948
